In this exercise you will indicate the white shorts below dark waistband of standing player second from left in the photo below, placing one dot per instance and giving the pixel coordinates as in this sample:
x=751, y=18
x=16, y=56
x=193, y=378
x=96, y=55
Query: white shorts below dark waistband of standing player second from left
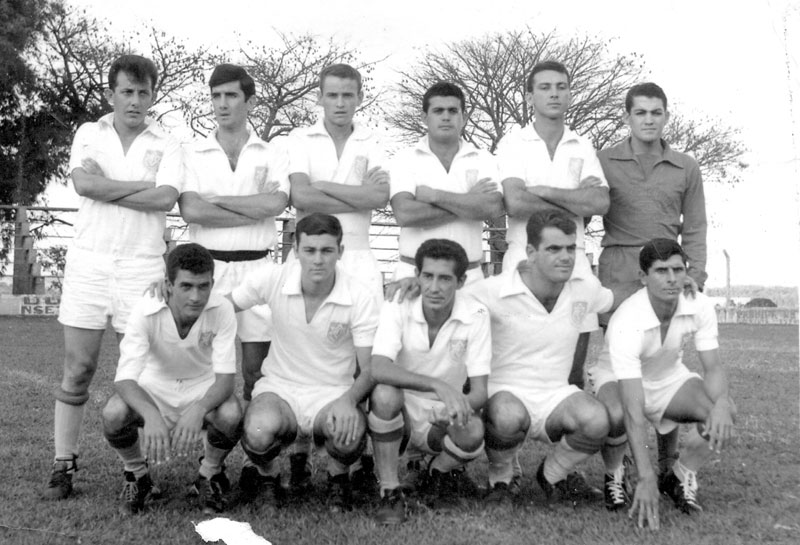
x=255, y=323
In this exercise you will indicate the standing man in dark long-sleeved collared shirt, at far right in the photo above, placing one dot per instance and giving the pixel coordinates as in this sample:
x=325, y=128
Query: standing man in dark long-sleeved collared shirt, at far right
x=655, y=192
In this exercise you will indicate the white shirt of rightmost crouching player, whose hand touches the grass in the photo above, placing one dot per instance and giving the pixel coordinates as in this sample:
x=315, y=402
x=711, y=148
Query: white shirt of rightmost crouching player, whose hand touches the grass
x=633, y=347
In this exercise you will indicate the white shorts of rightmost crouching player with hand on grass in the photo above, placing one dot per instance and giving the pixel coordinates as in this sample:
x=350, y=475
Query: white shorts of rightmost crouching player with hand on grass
x=657, y=394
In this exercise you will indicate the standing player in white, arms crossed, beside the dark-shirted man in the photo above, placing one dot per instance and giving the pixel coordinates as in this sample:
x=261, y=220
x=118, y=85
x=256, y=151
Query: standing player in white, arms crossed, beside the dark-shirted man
x=545, y=165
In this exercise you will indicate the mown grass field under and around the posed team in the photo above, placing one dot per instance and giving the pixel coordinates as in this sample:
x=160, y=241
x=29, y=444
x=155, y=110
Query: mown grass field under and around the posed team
x=751, y=492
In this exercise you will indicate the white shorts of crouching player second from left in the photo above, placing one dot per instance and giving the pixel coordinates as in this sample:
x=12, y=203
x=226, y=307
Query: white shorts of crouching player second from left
x=304, y=401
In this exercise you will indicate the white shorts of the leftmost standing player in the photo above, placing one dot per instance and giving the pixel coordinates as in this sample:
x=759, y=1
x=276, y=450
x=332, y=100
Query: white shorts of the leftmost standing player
x=97, y=286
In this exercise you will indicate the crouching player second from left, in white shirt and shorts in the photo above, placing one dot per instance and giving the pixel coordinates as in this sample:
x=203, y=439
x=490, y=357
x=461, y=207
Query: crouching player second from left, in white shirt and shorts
x=324, y=324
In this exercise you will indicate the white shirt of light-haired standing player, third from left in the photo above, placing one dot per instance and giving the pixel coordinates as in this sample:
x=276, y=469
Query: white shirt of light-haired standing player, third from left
x=312, y=152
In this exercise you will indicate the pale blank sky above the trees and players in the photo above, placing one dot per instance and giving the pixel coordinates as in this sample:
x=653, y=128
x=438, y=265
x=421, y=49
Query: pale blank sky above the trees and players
x=738, y=63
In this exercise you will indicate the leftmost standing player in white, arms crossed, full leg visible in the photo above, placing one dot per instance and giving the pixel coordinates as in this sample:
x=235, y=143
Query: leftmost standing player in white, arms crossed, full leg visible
x=127, y=171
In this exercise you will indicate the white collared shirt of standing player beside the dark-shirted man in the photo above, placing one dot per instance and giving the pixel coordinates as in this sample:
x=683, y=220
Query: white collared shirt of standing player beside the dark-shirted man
x=523, y=154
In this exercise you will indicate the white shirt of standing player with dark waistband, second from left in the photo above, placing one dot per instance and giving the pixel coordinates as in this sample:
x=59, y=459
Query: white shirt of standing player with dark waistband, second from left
x=208, y=173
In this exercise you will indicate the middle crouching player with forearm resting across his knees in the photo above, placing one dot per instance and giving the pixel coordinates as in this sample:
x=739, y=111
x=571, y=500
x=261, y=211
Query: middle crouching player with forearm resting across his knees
x=424, y=351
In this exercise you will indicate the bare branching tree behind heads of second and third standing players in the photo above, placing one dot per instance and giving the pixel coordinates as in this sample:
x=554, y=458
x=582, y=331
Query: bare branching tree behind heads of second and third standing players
x=286, y=79
